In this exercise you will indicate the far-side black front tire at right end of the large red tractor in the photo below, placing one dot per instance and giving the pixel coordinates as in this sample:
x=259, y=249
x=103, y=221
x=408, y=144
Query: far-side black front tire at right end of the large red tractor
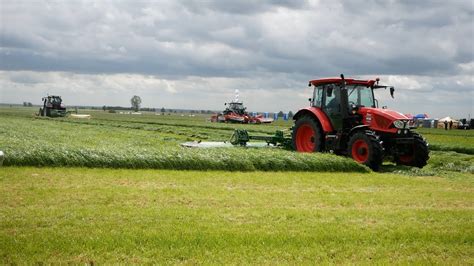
x=419, y=155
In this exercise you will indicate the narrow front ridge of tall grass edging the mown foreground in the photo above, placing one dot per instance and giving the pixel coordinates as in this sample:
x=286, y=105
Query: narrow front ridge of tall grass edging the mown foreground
x=238, y=159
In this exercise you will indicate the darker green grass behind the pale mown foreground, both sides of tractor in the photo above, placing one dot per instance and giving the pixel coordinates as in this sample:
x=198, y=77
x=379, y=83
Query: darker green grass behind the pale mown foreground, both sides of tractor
x=151, y=141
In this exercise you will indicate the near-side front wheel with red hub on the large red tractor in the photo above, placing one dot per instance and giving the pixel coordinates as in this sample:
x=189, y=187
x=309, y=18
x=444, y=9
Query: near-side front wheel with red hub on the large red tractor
x=366, y=148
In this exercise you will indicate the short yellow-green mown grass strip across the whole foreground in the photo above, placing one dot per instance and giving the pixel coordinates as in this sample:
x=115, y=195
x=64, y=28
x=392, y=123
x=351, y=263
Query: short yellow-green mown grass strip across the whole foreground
x=77, y=215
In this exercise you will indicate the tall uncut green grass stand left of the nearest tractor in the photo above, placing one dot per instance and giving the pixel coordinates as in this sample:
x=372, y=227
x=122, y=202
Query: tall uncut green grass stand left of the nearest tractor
x=49, y=142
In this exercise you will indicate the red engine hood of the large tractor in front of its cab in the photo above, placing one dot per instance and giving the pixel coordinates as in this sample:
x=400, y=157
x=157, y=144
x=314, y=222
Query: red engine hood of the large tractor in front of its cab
x=380, y=119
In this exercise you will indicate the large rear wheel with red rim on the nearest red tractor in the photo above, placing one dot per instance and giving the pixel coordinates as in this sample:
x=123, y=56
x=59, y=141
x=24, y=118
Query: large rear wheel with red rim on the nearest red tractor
x=307, y=135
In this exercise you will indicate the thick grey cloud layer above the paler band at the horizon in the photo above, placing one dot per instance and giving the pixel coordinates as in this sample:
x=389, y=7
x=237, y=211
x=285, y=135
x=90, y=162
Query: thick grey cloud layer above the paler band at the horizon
x=163, y=38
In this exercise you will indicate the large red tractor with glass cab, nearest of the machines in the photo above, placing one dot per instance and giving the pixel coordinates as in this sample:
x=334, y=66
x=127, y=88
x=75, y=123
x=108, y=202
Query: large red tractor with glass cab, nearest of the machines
x=344, y=118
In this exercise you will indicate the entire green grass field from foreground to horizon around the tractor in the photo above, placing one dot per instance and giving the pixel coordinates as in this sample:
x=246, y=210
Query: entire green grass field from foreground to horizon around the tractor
x=118, y=188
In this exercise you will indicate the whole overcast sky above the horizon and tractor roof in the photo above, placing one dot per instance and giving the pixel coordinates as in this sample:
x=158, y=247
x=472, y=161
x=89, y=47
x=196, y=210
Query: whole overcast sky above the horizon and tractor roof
x=194, y=54
